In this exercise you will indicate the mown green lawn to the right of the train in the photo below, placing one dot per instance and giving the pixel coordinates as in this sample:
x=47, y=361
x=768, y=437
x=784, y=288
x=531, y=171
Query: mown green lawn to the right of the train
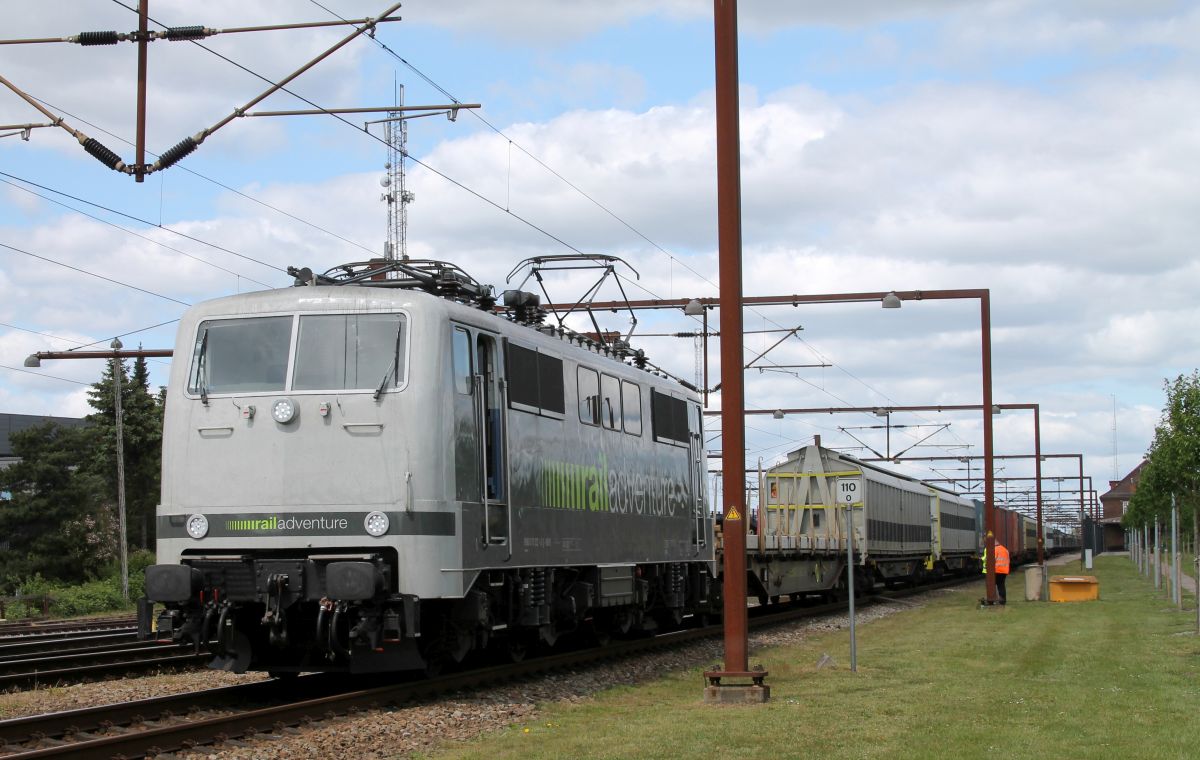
x=1113, y=679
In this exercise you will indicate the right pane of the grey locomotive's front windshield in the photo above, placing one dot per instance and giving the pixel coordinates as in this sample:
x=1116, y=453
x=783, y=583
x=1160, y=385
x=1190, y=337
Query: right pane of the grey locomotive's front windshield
x=350, y=352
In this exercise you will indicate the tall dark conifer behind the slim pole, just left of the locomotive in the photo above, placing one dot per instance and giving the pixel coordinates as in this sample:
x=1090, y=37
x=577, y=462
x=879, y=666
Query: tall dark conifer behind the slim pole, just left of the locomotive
x=143, y=446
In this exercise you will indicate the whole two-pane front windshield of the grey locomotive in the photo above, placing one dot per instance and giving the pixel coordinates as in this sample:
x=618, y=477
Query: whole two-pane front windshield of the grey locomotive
x=334, y=352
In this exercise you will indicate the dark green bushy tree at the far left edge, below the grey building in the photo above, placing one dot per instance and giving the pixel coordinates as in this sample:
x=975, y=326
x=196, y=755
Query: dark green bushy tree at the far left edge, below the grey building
x=56, y=524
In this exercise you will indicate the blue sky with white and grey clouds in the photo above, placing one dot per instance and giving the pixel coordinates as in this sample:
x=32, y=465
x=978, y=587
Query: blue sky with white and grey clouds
x=1047, y=152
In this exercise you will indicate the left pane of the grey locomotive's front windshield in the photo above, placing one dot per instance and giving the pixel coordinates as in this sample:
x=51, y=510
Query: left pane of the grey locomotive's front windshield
x=241, y=356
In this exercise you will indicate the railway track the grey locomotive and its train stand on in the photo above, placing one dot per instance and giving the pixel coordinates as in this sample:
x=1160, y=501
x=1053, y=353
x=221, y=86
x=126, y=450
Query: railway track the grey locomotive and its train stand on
x=185, y=721
